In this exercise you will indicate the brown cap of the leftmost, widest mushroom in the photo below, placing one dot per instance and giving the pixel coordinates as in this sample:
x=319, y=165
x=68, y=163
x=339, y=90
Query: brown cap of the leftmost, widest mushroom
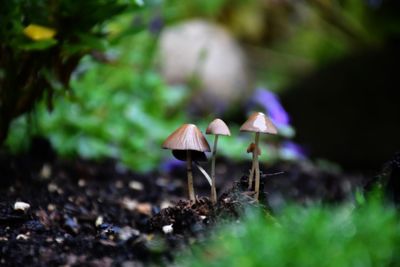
x=187, y=137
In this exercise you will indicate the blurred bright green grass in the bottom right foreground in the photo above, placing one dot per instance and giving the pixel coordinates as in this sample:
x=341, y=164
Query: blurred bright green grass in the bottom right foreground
x=367, y=235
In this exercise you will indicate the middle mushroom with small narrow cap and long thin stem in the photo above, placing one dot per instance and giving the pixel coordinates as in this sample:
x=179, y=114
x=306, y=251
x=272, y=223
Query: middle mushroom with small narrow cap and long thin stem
x=217, y=127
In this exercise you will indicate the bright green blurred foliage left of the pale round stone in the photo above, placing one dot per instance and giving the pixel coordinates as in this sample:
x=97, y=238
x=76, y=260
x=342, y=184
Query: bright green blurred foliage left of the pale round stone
x=118, y=105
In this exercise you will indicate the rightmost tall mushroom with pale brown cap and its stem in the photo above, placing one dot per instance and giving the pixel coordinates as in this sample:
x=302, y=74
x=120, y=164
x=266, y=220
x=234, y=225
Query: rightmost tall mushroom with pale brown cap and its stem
x=258, y=123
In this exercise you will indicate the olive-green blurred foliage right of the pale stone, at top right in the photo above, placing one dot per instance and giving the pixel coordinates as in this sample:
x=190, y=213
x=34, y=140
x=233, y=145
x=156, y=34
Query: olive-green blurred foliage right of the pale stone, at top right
x=288, y=39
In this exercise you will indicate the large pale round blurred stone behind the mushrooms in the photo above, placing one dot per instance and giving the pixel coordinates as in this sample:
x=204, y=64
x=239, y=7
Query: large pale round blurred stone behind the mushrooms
x=202, y=49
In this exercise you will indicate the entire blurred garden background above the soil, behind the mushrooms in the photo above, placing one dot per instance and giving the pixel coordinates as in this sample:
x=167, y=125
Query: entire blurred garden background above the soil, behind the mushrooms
x=116, y=79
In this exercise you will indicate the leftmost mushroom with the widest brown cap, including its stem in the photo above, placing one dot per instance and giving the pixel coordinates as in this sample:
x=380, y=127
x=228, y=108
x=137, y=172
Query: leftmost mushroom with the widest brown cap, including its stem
x=188, y=143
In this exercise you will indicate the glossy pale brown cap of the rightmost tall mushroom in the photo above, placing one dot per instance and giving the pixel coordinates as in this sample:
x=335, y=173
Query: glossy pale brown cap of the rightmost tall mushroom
x=259, y=123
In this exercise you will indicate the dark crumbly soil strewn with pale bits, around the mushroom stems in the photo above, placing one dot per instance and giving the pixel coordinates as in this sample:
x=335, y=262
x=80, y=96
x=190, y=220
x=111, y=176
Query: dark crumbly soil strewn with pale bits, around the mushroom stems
x=101, y=214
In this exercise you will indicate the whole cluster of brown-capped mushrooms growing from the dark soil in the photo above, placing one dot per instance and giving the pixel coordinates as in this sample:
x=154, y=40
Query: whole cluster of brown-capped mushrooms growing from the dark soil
x=189, y=144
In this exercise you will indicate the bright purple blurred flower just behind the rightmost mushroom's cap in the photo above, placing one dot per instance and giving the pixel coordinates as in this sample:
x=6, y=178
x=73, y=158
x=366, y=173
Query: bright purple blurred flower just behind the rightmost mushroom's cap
x=272, y=106
